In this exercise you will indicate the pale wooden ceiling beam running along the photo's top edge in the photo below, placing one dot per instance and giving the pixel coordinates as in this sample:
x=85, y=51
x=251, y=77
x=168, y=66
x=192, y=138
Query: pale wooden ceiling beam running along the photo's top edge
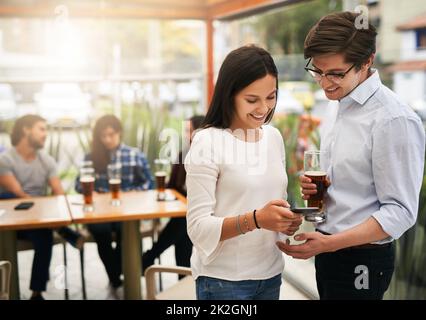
x=144, y=9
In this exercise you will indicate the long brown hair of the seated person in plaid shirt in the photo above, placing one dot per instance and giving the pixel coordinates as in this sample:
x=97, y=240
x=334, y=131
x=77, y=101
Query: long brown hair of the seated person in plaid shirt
x=99, y=154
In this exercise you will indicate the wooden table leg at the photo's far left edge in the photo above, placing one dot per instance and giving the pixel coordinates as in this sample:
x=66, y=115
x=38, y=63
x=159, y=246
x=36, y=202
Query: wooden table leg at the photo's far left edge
x=8, y=252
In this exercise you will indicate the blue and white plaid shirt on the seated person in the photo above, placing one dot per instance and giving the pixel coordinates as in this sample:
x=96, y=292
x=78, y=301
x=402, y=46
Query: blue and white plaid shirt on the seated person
x=135, y=171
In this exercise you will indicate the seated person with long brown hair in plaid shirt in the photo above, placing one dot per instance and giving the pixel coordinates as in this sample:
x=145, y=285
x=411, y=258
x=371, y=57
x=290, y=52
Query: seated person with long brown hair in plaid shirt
x=107, y=148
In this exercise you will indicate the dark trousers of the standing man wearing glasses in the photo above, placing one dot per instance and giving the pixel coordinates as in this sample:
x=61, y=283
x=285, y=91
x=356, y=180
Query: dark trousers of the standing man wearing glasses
x=354, y=273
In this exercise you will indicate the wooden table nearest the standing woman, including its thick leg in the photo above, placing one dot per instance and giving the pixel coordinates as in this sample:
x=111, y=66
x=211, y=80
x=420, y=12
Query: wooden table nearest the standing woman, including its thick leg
x=135, y=206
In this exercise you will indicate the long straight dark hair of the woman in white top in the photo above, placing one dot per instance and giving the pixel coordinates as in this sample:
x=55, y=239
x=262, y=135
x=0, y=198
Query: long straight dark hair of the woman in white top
x=240, y=68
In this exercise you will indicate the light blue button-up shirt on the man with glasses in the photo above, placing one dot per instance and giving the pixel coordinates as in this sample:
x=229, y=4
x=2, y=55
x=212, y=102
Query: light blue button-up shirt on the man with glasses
x=375, y=148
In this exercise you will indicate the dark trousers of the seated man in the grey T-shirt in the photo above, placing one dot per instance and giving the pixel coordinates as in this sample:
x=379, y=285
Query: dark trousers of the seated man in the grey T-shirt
x=42, y=241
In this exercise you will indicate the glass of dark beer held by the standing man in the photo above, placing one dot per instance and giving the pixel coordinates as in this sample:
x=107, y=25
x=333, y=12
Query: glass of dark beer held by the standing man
x=315, y=172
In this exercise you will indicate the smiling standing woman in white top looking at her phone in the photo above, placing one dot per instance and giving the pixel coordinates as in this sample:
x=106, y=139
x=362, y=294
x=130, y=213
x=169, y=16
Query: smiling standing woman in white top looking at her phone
x=236, y=183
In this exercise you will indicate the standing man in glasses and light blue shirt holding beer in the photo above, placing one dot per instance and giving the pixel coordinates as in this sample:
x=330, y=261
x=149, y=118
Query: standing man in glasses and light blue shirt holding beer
x=375, y=148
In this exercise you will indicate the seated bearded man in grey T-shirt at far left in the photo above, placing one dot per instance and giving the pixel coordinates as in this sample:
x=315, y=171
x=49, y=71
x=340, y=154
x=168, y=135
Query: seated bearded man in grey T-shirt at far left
x=25, y=172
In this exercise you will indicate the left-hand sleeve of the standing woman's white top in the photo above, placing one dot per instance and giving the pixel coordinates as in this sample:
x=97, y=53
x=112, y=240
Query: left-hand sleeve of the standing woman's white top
x=204, y=227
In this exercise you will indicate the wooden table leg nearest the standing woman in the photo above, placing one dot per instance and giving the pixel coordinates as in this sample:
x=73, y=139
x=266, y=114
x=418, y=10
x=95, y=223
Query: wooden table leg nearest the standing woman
x=132, y=256
